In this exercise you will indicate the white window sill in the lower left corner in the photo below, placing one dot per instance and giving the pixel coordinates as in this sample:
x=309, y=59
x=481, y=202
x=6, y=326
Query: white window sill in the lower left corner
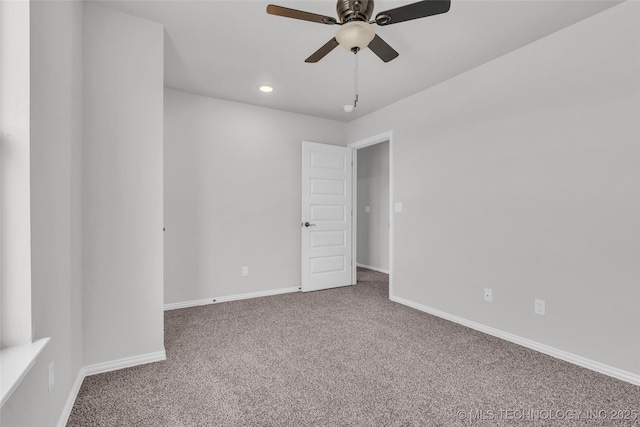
x=15, y=363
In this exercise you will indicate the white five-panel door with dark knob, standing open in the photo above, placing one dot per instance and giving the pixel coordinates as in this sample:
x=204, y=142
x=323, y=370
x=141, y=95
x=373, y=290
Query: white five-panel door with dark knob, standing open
x=326, y=216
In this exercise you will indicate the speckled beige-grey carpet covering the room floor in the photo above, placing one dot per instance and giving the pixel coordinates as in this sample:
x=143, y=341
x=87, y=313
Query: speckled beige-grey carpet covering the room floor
x=345, y=357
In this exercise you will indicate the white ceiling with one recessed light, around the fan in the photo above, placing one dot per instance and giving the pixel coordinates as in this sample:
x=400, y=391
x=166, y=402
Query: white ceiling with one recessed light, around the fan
x=226, y=49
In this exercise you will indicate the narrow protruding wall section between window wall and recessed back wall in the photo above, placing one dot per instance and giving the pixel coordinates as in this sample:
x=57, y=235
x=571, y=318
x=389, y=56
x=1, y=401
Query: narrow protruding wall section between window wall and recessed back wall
x=122, y=198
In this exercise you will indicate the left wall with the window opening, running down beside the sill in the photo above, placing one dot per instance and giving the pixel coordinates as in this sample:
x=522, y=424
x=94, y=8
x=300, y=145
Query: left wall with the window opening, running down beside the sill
x=56, y=138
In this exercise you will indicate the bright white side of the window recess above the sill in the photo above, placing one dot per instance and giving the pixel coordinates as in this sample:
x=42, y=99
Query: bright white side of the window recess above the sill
x=15, y=230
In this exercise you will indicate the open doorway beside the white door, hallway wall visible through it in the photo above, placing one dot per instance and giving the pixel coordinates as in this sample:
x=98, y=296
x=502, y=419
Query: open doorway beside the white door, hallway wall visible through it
x=372, y=207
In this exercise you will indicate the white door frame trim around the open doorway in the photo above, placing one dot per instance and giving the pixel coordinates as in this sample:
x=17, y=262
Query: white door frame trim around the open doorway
x=363, y=143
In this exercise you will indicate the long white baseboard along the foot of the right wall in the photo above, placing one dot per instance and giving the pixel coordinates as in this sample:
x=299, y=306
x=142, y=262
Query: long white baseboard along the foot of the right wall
x=542, y=348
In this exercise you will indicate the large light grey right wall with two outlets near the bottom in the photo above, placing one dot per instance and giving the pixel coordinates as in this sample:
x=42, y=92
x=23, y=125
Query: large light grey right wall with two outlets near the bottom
x=523, y=175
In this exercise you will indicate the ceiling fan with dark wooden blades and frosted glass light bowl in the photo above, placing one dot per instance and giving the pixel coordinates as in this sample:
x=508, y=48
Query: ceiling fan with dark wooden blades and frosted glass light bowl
x=356, y=30
